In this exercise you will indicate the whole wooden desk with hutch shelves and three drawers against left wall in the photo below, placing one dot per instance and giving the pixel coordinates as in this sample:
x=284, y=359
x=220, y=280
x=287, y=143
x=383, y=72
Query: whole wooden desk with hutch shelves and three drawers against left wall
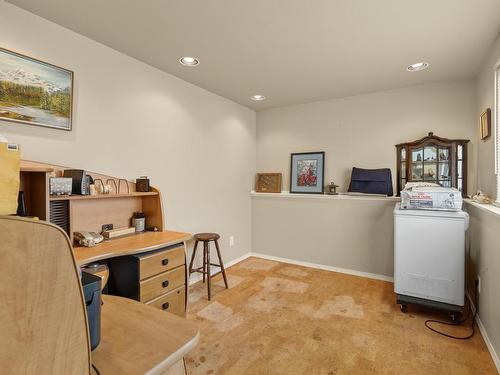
x=149, y=267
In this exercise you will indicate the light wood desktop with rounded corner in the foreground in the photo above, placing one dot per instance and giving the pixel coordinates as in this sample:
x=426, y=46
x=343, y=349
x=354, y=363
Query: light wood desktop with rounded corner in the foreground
x=139, y=339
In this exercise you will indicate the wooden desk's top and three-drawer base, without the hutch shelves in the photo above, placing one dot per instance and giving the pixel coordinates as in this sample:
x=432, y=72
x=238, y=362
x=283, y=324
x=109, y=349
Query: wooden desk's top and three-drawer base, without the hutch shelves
x=137, y=270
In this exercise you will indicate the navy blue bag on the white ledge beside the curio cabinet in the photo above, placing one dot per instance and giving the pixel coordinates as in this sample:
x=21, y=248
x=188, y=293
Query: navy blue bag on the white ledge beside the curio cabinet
x=371, y=181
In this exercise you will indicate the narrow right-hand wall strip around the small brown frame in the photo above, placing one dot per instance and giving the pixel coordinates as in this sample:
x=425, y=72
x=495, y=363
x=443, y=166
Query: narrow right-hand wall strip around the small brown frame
x=485, y=92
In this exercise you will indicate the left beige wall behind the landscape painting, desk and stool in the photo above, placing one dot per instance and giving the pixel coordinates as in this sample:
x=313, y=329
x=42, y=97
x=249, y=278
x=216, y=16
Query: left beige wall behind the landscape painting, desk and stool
x=131, y=119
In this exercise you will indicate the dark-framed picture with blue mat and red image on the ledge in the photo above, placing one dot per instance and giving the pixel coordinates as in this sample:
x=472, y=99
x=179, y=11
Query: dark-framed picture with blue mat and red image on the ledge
x=307, y=172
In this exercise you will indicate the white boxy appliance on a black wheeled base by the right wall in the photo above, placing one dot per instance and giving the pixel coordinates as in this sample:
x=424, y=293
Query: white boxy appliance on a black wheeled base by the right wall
x=429, y=258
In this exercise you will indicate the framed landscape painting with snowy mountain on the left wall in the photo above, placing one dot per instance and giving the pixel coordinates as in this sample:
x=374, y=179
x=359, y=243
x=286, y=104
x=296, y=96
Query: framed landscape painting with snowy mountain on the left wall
x=34, y=92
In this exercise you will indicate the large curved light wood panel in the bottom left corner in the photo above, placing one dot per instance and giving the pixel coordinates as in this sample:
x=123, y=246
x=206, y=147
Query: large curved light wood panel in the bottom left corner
x=43, y=322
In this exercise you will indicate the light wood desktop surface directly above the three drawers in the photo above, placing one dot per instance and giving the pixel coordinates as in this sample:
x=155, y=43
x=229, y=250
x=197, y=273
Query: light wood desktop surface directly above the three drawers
x=129, y=245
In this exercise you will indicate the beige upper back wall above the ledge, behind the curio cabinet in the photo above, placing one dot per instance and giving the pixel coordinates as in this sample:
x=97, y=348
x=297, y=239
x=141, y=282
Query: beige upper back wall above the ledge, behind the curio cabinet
x=362, y=130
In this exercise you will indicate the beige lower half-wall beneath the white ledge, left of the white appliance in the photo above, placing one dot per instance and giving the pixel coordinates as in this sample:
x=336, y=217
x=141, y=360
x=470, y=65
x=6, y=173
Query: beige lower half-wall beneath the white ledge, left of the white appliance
x=343, y=232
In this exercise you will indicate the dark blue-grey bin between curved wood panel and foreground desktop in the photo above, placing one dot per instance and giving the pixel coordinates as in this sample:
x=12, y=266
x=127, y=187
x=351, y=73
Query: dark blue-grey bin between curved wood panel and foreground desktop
x=92, y=292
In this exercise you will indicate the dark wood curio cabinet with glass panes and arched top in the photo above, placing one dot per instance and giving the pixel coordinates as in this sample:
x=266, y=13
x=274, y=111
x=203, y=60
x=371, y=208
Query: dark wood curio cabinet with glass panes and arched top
x=433, y=159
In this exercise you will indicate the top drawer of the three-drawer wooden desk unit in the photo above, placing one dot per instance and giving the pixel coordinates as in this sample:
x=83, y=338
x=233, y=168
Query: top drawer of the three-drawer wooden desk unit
x=157, y=262
